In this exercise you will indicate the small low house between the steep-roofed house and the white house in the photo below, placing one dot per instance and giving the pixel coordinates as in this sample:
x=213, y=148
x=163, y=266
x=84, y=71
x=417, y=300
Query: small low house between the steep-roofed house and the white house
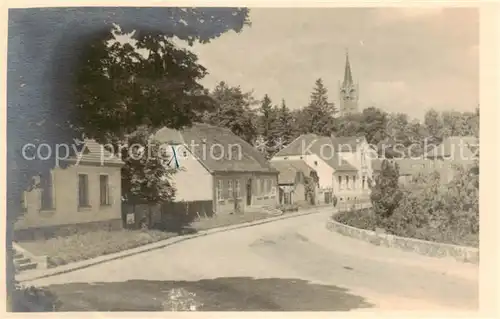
x=292, y=181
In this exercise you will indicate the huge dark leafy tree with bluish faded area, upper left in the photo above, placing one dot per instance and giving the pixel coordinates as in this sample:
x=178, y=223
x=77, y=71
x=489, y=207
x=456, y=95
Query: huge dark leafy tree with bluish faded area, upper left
x=52, y=51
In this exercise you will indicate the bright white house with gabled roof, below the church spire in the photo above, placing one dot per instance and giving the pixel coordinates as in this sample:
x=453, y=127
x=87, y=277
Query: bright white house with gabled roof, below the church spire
x=342, y=163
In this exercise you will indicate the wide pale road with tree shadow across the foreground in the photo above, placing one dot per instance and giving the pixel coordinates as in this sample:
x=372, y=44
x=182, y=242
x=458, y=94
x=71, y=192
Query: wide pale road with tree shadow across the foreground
x=292, y=264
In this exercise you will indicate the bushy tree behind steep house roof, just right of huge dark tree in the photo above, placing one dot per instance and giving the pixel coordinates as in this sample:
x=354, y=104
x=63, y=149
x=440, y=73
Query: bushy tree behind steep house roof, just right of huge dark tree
x=233, y=111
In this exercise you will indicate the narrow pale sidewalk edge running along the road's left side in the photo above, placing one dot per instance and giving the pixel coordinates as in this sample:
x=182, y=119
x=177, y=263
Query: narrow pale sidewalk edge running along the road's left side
x=152, y=246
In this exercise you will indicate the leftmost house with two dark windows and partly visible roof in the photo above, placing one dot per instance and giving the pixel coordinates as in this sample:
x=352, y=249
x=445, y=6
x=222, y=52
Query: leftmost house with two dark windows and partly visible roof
x=79, y=191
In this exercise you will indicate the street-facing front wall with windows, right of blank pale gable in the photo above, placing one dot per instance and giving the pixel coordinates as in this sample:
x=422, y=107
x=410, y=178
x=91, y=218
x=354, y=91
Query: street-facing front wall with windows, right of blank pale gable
x=225, y=203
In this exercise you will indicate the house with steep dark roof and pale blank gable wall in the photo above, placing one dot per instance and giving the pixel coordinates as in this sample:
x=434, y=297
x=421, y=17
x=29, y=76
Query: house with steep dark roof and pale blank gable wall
x=215, y=166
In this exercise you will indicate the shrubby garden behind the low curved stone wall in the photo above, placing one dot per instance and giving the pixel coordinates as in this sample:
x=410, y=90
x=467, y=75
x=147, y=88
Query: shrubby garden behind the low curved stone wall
x=426, y=208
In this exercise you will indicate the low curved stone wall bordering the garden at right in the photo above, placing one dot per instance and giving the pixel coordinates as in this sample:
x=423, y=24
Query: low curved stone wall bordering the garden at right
x=422, y=247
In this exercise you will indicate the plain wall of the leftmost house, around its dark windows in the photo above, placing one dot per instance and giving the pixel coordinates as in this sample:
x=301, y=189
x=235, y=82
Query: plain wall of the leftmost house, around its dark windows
x=65, y=198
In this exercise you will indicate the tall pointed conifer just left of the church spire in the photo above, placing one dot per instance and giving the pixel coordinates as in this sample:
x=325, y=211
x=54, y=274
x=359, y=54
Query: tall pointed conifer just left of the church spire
x=319, y=112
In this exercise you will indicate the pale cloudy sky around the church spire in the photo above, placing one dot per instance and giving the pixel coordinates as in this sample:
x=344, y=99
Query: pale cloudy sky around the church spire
x=405, y=59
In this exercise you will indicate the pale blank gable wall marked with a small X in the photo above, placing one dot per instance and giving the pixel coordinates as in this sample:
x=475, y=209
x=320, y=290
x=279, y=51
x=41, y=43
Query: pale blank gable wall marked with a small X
x=192, y=181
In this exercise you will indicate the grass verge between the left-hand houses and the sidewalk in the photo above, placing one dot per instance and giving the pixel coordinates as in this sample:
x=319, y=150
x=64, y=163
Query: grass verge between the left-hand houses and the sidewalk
x=77, y=247
